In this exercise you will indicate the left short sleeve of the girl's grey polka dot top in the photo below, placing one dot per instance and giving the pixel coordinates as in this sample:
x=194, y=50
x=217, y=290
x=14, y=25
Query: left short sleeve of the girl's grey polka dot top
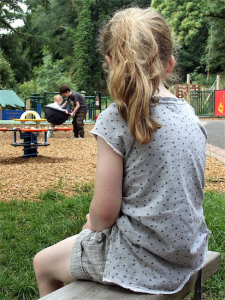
x=113, y=129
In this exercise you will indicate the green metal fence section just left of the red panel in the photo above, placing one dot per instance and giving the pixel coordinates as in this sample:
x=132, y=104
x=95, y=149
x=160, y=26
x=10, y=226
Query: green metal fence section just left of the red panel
x=203, y=102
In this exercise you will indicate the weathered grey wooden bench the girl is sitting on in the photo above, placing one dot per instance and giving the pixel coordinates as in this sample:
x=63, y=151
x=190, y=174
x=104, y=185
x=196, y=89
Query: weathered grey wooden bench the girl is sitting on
x=88, y=290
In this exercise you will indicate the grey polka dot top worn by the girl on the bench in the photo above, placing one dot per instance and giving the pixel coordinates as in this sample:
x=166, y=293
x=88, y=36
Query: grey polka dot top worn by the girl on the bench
x=160, y=236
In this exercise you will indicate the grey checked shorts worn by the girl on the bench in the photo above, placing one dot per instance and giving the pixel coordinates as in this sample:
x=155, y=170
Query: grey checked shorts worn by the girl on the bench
x=89, y=255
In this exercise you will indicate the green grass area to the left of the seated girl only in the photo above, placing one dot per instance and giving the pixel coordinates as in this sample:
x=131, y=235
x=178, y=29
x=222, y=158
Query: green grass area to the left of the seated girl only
x=28, y=227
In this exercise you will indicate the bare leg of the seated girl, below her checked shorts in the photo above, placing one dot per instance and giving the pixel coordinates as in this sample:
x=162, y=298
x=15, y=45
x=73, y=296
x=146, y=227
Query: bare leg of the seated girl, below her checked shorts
x=52, y=266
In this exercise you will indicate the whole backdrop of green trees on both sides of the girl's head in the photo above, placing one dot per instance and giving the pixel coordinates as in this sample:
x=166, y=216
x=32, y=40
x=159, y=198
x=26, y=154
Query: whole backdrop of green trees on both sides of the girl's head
x=69, y=30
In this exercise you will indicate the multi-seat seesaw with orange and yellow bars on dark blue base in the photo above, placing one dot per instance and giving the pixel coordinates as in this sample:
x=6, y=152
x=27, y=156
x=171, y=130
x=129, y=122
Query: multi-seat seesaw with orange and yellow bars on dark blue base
x=29, y=135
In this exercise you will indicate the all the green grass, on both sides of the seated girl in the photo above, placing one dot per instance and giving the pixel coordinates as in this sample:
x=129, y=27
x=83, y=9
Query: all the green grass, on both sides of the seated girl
x=28, y=227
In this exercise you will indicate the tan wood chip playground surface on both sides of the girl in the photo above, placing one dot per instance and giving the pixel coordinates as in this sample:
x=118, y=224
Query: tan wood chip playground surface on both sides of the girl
x=64, y=165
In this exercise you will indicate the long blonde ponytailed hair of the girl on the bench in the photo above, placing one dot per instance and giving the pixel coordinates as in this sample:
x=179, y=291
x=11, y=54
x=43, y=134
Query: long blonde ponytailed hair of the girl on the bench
x=139, y=44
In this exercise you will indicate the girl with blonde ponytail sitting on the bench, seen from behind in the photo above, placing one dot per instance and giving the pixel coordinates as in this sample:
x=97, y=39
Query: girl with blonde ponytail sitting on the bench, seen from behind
x=145, y=230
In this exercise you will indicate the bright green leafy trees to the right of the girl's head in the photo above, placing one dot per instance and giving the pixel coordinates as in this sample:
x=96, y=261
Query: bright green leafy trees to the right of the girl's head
x=198, y=27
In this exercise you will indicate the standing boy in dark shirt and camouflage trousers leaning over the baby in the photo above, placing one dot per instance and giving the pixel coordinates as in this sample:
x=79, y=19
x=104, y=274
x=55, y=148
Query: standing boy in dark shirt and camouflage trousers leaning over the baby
x=79, y=109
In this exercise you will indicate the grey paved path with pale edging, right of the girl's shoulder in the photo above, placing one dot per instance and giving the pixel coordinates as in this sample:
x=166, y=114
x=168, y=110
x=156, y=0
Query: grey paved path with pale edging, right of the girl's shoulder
x=216, y=138
